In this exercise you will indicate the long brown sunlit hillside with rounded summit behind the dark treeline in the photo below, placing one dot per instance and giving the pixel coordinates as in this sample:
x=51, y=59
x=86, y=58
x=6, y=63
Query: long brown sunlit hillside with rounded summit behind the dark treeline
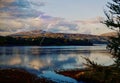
x=40, y=33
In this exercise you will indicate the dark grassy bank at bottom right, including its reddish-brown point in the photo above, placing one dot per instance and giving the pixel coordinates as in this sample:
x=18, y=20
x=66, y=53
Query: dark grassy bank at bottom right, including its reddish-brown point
x=100, y=74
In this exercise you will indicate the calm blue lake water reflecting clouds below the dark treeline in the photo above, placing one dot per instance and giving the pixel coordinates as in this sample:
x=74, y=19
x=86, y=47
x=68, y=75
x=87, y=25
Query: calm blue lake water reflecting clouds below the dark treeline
x=49, y=58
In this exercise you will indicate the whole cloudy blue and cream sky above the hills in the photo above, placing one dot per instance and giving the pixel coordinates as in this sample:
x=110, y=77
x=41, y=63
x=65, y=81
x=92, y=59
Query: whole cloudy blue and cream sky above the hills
x=58, y=16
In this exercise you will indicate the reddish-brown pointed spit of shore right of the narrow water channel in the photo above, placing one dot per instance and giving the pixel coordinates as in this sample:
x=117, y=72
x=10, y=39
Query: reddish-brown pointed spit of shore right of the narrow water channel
x=77, y=74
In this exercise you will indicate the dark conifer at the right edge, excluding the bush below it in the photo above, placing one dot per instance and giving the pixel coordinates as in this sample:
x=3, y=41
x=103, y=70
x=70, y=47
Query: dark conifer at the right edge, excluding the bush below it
x=113, y=22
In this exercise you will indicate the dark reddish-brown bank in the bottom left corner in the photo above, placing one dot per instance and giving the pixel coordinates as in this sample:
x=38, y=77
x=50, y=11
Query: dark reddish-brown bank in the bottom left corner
x=20, y=76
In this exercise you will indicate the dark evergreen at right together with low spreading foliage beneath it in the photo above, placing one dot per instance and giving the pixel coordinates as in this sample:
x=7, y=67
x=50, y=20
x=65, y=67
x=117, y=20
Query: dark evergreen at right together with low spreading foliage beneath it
x=111, y=73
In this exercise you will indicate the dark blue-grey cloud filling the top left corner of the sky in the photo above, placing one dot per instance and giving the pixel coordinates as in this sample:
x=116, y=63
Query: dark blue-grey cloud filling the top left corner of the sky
x=21, y=8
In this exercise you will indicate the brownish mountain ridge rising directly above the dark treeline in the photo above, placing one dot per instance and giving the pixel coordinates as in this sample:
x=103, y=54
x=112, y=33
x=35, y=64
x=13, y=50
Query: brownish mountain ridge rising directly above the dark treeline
x=40, y=33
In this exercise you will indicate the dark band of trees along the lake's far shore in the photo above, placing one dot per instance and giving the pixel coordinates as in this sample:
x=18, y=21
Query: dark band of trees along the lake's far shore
x=40, y=41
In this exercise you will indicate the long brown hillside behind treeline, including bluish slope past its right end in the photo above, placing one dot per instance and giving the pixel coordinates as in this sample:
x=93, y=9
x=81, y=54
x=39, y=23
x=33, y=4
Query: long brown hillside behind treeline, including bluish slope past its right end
x=39, y=33
